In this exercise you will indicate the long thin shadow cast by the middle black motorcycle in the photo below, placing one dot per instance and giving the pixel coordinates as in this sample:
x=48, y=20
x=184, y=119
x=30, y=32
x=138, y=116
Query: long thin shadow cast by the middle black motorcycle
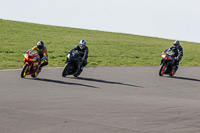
x=107, y=82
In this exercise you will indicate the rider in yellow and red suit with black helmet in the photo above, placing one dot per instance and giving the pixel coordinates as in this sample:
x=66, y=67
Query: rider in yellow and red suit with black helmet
x=42, y=51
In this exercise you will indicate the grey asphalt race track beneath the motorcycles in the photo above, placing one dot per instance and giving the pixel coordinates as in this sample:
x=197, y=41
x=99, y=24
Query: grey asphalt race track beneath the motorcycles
x=101, y=100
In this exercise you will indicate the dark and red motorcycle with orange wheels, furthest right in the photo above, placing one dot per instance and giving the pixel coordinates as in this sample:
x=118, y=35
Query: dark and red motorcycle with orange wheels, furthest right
x=167, y=64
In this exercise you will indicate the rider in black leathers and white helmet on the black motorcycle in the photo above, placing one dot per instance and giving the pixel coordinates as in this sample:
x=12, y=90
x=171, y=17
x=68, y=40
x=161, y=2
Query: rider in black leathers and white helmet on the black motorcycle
x=83, y=52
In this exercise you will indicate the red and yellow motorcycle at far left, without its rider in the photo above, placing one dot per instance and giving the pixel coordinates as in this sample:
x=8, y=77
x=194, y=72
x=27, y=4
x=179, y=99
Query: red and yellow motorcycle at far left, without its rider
x=31, y=64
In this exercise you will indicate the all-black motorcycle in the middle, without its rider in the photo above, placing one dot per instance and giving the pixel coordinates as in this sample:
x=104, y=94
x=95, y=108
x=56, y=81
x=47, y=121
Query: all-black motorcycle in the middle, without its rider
x=72, y=64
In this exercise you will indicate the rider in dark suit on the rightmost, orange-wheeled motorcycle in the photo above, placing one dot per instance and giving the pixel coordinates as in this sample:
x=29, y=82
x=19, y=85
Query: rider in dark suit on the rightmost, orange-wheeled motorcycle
x=178, y=50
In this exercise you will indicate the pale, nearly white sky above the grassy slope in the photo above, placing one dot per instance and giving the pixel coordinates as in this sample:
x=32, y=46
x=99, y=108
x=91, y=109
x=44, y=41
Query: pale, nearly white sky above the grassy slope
x=170, y=19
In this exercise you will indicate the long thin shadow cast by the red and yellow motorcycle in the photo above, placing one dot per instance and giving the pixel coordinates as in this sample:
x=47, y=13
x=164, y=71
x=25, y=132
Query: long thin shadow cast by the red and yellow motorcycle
x=62, y=82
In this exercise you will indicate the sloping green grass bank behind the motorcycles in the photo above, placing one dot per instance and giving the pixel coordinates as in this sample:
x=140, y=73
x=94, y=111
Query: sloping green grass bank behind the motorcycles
x=105, y=48
